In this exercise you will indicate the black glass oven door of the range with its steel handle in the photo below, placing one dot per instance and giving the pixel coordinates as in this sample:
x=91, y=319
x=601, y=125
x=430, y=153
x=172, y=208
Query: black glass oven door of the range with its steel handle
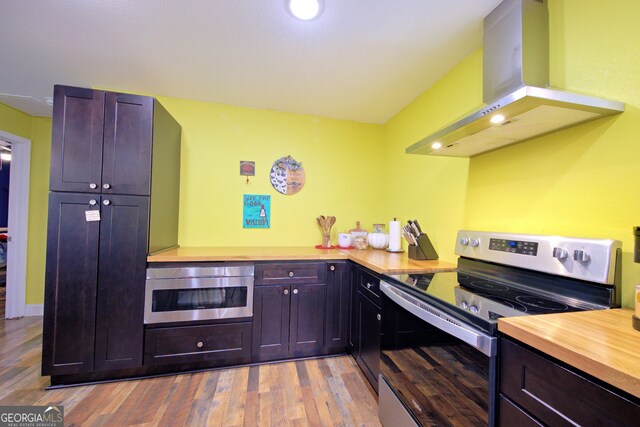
x=435, y=370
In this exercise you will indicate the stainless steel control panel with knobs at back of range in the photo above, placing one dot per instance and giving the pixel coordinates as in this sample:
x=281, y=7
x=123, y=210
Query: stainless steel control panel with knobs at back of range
x=592, y=260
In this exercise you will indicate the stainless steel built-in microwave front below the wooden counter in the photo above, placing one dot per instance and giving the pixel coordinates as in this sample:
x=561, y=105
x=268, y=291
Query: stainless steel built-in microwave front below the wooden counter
x=180, y=300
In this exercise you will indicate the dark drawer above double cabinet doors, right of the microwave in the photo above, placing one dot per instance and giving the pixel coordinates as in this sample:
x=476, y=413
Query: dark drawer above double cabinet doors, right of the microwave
x=290, y=273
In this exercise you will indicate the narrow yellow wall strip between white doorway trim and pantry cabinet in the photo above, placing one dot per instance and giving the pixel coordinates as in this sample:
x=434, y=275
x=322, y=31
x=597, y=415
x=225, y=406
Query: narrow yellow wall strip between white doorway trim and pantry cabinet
x=38, y=130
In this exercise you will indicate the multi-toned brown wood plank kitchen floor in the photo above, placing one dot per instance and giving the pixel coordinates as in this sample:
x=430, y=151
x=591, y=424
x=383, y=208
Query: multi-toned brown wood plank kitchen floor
x=319, y=392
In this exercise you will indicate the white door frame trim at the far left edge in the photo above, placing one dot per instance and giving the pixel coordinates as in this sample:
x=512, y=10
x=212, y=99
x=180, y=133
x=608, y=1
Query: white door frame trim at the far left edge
x=17, y=224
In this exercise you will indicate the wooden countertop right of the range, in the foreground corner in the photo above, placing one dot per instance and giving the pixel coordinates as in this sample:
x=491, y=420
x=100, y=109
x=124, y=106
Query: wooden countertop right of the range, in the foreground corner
x=601, y=343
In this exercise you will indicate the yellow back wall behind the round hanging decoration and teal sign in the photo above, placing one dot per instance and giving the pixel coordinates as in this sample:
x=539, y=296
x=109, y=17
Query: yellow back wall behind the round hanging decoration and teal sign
x=342, y=161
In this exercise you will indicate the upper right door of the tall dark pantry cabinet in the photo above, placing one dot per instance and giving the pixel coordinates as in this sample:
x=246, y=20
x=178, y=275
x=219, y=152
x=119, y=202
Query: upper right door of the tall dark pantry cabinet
x=128, y=132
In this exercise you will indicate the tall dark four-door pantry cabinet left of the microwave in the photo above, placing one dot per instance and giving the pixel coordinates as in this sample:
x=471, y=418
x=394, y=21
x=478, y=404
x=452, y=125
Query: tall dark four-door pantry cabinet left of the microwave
x=114, y=188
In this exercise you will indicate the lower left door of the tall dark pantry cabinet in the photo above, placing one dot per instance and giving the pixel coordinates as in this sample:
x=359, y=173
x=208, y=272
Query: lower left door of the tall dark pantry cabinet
x=70, y=285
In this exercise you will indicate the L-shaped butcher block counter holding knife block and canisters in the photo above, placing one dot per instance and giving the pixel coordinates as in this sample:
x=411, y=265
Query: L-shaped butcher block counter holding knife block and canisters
x=379, y=261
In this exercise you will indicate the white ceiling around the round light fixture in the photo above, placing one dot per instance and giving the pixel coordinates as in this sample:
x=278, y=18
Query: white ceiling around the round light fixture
x=360, y=60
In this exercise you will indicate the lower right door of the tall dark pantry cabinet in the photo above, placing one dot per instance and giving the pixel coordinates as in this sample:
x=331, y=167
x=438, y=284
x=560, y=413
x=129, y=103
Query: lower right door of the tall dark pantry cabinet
x=121, y=281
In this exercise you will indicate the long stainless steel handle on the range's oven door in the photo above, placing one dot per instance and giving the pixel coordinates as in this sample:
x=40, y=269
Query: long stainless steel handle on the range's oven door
x=487, y=344
